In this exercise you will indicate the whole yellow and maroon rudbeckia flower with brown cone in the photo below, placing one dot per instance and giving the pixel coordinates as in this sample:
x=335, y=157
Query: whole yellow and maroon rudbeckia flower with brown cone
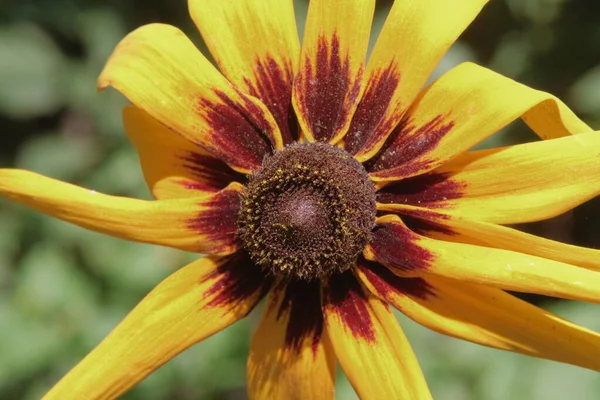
x=336, y=189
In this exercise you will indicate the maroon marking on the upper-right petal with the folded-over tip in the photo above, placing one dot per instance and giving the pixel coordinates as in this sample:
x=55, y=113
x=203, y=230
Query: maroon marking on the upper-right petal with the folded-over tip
x=407, y=143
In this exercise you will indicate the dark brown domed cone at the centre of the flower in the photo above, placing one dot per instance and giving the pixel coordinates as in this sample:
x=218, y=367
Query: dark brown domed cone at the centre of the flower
x=308, y=211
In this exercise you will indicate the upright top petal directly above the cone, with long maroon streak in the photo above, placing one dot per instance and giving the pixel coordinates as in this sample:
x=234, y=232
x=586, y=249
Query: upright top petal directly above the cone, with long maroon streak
x=328, y=85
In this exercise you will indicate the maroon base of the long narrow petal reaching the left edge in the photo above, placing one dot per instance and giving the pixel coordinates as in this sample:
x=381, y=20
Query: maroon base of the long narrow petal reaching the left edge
x=218, y=218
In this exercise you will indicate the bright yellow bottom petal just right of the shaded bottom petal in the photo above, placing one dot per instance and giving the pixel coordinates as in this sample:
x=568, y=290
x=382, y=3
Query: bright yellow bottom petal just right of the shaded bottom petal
x=369, y=344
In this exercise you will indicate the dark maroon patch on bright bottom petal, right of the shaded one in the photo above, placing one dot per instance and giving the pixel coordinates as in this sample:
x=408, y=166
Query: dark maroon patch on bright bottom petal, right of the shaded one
x=344, y=296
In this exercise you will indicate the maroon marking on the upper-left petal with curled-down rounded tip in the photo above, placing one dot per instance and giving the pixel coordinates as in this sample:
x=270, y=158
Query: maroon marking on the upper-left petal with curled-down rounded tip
x=240, y=132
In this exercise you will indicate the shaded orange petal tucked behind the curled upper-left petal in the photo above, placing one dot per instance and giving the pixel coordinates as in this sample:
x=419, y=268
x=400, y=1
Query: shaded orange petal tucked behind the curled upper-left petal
x=173, y=166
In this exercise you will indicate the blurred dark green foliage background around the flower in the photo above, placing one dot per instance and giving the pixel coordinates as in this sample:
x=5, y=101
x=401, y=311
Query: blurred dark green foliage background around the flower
x=62, y=288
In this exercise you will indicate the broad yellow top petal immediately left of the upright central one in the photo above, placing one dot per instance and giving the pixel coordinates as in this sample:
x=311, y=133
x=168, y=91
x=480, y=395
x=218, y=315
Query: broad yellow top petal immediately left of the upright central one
x=256, y=46
